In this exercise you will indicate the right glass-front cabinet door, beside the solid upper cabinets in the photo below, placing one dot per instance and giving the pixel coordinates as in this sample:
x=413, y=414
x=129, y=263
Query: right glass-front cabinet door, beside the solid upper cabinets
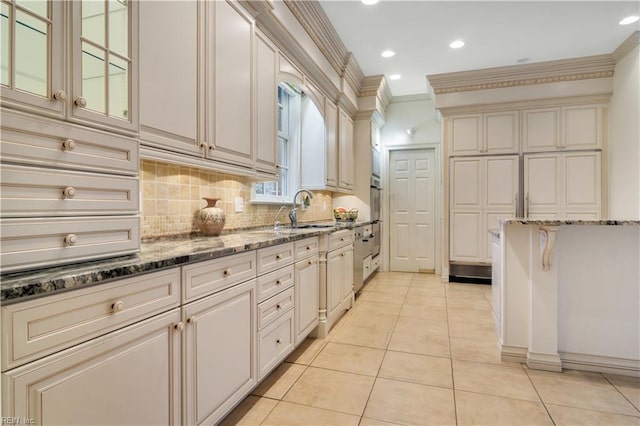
x=104, y=66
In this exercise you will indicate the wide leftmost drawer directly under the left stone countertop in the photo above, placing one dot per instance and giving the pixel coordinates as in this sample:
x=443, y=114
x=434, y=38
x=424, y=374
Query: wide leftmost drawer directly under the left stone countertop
x=43, y=326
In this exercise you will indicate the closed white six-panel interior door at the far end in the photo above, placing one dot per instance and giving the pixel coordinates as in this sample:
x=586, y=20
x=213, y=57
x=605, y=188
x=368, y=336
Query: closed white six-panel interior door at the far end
x=411, y=207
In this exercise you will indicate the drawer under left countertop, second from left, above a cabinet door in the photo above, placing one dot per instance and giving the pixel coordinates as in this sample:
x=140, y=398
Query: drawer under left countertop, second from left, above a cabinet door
x=211, y=276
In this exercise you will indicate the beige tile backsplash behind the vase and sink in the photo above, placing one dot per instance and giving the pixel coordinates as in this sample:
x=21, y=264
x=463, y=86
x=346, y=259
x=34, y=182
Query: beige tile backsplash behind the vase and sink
x=172, y=194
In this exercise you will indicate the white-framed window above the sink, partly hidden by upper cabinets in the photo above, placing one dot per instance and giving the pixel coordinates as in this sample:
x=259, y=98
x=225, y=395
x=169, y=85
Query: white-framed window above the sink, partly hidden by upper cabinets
x=281, y=190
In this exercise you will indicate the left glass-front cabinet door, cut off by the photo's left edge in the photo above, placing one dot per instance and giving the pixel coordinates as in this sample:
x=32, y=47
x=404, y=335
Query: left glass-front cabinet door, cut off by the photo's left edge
x=31, y=56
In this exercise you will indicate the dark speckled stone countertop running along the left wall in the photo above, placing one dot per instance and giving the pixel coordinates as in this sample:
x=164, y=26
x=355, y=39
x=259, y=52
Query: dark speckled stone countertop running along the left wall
x=154, y=255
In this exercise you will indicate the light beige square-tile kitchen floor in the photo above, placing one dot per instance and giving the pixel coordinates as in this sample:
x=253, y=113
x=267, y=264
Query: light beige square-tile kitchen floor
x=416, y=351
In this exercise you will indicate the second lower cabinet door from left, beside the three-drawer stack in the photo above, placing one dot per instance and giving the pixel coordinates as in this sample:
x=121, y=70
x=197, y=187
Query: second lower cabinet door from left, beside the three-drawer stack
x=220, y=348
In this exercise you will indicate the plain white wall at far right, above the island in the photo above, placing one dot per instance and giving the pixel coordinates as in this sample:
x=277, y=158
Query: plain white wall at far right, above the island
x=624, y=139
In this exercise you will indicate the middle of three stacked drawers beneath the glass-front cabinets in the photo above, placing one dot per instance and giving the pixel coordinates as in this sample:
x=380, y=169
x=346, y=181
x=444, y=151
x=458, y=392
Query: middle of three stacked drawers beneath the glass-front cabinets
x=29, y=191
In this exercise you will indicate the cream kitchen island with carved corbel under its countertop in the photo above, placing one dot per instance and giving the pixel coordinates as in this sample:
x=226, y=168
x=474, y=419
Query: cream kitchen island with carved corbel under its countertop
x=566, y=294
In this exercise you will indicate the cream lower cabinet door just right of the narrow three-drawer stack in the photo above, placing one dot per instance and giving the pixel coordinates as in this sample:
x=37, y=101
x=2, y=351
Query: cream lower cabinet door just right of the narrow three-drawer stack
x=307, y=296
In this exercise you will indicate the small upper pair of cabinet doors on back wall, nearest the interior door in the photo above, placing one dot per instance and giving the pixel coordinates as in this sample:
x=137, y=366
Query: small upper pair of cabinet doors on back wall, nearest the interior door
x=484, y=133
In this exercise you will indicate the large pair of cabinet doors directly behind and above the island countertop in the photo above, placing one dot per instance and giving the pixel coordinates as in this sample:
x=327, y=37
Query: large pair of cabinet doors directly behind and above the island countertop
x=563, y=185
